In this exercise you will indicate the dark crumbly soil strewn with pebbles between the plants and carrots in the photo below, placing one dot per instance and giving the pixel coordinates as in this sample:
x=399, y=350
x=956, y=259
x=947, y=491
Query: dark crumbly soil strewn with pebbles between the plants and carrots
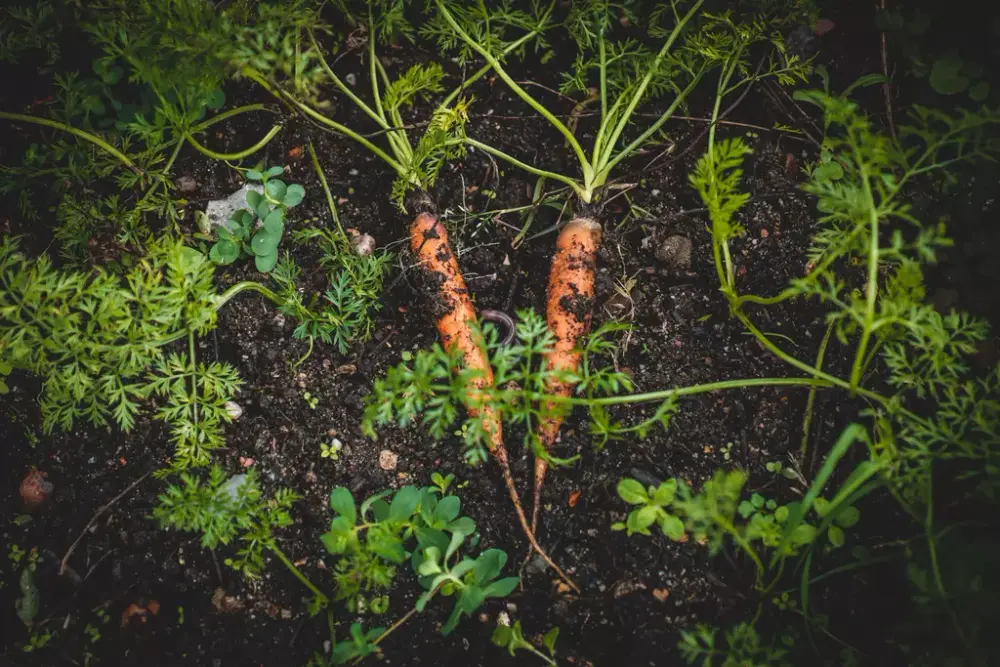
x=637, y=592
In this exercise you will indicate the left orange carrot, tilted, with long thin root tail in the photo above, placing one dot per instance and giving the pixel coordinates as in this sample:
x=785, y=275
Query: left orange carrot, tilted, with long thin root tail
x=457, y=326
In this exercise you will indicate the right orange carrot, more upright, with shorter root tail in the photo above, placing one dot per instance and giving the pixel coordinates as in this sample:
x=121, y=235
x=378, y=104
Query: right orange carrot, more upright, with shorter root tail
x=568, y=312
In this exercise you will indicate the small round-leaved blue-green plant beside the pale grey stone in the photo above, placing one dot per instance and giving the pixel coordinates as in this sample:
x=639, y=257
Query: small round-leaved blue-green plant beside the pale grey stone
x=256, y=231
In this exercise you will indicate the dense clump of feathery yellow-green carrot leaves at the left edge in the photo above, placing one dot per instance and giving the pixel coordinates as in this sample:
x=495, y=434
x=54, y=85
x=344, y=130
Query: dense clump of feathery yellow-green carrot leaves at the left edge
x=97, y=341
